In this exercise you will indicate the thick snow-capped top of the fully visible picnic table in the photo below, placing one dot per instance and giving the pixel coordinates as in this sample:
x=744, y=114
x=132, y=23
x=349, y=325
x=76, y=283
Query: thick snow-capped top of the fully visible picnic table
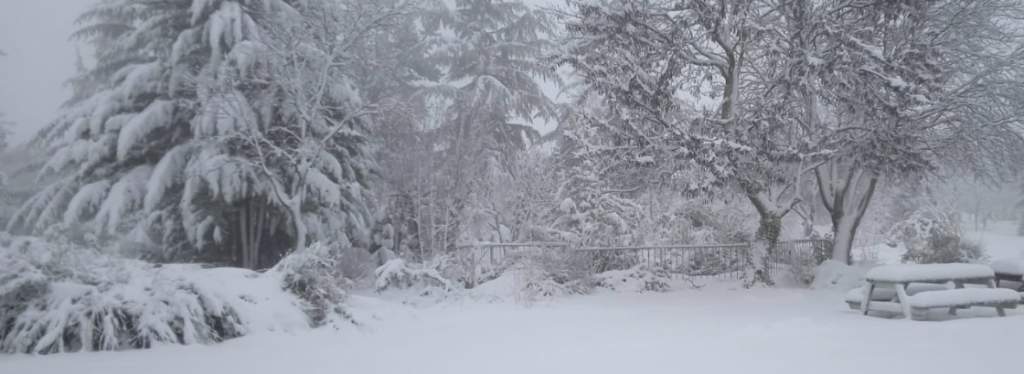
x=929, y=273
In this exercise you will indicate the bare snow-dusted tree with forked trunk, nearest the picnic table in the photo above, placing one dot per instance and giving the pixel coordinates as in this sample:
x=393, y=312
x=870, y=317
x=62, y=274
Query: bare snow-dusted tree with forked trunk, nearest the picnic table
x=902, y=91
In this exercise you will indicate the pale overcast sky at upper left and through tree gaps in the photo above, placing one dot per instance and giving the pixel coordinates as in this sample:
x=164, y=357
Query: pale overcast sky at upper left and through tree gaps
x=40, y=58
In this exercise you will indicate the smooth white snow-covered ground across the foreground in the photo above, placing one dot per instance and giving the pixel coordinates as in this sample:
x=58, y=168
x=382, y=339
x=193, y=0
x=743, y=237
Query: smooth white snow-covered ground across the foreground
x=719, y=329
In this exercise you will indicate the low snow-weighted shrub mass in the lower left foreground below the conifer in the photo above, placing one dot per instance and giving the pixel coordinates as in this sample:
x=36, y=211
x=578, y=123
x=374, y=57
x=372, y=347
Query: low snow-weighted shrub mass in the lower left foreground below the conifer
x=57, y=298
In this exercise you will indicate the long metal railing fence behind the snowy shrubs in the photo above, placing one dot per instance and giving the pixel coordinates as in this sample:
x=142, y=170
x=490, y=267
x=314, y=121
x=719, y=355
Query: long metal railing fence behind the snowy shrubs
x=716, y=261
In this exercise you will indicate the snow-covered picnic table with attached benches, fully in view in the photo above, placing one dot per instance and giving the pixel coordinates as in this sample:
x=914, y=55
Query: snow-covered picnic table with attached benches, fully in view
x=916, y=307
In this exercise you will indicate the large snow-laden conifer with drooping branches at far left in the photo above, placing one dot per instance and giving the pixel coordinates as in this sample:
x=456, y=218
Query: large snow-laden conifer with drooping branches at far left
x=150, y=144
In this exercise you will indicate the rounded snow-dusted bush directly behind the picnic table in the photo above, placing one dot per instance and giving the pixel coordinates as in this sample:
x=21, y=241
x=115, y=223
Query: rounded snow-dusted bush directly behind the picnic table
x=932, y=236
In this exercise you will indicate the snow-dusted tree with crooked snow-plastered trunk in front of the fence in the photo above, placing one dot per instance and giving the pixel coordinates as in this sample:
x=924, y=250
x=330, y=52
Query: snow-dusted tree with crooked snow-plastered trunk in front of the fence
x=650, y=60
